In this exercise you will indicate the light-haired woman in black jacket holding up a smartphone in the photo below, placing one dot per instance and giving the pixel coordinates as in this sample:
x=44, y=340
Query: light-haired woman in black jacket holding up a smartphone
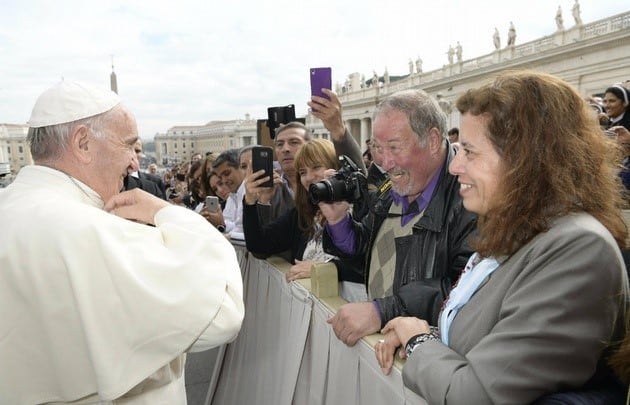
x=299, y=229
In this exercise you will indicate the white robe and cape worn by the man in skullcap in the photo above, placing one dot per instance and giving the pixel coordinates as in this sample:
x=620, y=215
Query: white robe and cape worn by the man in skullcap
x=92, y=305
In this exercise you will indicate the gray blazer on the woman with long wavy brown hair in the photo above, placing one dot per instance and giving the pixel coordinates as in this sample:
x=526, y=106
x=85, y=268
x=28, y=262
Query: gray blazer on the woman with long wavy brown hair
x=538, y=325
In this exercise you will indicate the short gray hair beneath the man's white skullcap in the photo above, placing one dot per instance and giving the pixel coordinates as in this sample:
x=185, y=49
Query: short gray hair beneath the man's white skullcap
x=49, y=143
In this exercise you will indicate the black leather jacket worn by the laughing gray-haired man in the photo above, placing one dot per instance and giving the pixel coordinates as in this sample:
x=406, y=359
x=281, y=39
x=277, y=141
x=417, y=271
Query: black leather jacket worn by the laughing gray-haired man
x=429, y=261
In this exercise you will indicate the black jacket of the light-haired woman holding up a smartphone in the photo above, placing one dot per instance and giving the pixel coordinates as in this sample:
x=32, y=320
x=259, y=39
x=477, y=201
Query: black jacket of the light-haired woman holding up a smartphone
x=281, y=235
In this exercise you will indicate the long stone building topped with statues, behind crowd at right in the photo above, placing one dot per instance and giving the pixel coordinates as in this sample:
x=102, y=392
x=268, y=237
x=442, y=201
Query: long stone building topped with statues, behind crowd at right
x=589, y=56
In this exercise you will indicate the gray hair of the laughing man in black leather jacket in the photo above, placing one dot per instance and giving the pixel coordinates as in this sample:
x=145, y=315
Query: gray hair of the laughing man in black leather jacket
x=422, y=111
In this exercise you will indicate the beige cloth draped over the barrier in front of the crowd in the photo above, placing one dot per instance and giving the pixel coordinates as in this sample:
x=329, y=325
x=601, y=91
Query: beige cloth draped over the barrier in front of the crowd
x=286, y=353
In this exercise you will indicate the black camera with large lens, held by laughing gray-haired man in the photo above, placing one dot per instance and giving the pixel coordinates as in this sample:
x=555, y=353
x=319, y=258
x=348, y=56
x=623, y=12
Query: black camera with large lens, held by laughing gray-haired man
x=348, y=184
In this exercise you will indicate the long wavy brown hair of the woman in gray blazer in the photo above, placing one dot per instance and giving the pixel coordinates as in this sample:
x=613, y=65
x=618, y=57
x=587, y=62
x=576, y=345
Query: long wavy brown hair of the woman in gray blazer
x=556, y=157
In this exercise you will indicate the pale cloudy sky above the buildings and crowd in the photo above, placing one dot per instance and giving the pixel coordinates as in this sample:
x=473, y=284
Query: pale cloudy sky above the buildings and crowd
x=194, y=61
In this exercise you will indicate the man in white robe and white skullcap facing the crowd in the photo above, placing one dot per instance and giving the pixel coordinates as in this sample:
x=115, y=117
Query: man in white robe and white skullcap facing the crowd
x=101, y=292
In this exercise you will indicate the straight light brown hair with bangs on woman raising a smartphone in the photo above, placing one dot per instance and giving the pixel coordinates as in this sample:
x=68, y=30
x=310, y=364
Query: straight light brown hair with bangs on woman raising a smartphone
x=316, y=152
